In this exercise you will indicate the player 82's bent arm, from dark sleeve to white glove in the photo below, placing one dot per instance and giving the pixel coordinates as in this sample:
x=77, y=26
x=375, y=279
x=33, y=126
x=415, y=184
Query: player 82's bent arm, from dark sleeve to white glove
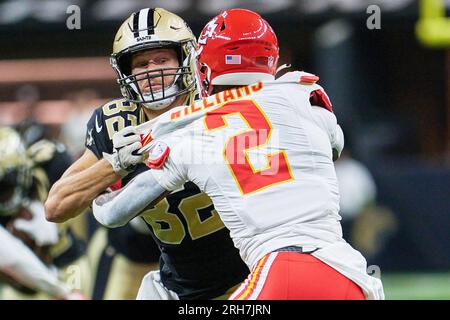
x=103, y=163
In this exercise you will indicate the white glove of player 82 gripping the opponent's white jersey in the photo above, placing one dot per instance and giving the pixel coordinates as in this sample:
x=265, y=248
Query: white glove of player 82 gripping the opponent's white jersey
x=125, y=142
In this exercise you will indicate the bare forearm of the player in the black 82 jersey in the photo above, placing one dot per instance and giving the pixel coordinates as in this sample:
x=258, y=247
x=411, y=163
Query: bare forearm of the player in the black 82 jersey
x=80, y=184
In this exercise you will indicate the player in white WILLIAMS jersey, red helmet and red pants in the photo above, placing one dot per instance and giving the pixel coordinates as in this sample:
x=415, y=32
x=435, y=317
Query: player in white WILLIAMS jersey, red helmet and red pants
x=263, y=150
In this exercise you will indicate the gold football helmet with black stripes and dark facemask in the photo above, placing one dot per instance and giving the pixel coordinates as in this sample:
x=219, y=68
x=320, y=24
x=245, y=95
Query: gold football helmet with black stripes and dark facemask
x=156, y=28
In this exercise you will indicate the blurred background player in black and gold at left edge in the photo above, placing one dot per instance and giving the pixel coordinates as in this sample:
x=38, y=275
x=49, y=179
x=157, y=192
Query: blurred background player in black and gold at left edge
x=25, y=177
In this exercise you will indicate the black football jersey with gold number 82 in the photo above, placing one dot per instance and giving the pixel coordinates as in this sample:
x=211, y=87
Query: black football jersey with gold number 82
x=198, y=258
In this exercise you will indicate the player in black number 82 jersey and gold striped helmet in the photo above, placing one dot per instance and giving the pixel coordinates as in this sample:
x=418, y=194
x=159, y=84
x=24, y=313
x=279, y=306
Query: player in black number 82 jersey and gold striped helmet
x=154, y=58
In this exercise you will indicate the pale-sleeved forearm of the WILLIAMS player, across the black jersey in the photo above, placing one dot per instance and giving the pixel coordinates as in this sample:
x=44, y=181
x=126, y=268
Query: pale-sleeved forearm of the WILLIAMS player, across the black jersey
x=117, y=208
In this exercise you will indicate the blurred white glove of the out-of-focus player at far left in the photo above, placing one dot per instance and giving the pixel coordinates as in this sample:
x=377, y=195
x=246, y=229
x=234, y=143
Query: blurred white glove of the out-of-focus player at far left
x=38, y=228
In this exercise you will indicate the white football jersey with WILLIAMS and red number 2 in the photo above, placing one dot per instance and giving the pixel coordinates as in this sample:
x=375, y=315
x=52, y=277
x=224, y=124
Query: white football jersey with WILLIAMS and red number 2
x=263, y=154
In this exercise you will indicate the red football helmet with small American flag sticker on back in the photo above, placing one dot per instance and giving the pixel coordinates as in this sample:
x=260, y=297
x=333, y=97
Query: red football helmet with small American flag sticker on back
x=237, y=47
